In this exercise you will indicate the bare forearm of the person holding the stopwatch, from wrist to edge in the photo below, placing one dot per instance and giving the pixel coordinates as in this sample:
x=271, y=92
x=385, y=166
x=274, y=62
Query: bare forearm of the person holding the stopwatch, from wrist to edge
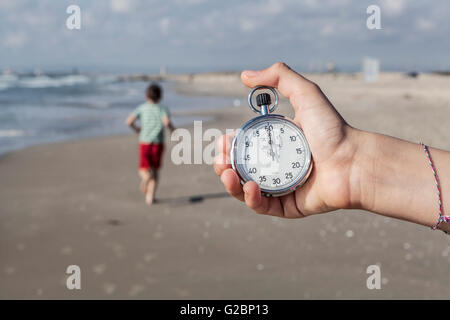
x=393, y=177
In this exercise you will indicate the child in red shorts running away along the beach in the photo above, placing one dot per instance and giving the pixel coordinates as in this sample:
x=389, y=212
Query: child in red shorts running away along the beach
x=153, y=117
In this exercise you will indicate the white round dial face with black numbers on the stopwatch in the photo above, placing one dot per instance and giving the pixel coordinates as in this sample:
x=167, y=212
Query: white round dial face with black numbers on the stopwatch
x=273, y=154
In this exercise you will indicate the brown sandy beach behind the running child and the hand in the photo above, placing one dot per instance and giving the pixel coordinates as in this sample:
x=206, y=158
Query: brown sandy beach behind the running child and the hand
x=79, y=203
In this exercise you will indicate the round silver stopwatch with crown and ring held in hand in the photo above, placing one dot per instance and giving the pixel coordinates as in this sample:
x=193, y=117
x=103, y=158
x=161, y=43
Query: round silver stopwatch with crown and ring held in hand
x=271, y=149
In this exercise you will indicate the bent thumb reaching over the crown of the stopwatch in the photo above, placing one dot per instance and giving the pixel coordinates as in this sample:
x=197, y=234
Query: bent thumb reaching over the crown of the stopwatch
x=280, y=76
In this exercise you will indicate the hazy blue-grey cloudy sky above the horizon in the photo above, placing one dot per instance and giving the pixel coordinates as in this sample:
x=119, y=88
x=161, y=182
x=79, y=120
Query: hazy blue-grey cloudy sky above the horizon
x=208, y=35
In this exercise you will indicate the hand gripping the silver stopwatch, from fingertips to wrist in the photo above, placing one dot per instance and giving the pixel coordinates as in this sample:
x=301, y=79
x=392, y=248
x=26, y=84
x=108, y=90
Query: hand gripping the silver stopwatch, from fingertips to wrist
x=332, y=184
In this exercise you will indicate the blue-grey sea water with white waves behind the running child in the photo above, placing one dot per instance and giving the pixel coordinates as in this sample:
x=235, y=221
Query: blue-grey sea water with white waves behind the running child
x=43, y=108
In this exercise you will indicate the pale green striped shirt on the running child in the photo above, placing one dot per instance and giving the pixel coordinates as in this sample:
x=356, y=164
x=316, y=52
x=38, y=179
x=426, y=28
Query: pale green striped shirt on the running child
x=152, y=127
